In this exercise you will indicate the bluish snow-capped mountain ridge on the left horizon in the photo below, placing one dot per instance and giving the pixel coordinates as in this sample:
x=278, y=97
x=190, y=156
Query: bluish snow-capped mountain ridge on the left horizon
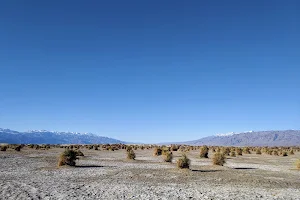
x=53, y=137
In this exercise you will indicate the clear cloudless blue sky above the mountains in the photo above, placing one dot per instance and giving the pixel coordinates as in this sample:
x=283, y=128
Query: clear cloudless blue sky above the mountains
x=150, y=71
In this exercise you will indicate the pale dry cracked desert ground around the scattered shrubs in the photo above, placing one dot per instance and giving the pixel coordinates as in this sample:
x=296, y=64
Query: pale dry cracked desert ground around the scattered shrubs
x=33, y=174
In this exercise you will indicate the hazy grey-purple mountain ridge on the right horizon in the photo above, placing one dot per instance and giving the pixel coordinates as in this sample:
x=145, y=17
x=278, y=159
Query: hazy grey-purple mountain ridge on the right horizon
x=251, y=138
